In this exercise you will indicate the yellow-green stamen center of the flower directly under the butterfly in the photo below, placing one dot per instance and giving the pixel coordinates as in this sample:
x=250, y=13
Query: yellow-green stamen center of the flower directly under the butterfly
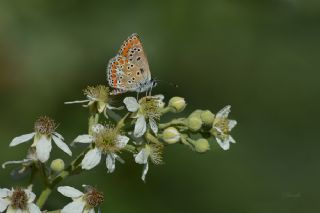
x=150, y=107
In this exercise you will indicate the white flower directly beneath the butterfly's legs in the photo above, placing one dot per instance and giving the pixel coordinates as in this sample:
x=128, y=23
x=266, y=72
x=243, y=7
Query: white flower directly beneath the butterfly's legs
x=148, y=108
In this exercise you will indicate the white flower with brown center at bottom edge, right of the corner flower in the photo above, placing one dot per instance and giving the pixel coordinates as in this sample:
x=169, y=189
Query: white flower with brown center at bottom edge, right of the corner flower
x=82, y=202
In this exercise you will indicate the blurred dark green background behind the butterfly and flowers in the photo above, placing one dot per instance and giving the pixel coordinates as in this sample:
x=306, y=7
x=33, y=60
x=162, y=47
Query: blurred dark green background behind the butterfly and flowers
x=262, y=57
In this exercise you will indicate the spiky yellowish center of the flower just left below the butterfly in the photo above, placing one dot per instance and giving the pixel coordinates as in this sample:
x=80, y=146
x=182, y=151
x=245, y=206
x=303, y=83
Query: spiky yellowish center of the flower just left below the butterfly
x=97, y=93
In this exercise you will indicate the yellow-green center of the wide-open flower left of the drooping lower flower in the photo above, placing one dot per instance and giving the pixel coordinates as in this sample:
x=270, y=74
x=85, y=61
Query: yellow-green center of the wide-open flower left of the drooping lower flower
x=106, y=140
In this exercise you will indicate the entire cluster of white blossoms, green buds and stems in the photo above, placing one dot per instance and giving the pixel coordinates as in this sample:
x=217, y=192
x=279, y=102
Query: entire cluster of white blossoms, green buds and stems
x=136, y=128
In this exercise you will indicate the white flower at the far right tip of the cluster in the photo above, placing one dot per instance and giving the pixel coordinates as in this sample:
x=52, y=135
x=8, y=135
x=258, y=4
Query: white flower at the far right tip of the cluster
x=222, y=126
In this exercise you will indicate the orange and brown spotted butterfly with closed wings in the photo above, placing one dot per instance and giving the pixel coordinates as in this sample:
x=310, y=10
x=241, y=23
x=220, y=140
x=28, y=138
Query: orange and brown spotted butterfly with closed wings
x=129, y=70
